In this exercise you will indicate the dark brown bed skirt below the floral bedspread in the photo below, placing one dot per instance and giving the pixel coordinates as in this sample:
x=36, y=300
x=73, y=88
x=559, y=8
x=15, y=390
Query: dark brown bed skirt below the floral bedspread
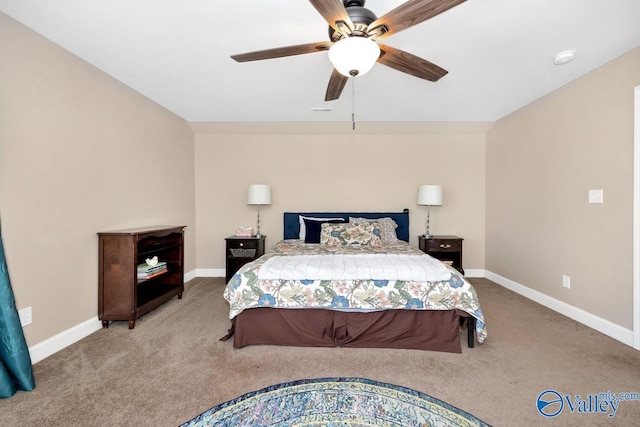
x=409, y=329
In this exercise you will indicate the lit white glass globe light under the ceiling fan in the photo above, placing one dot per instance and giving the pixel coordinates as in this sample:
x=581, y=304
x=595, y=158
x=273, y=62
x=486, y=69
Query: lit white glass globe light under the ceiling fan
x=354, y=56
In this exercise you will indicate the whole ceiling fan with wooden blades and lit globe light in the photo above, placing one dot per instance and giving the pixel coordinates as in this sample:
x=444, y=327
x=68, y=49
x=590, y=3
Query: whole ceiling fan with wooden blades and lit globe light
x=354, y=30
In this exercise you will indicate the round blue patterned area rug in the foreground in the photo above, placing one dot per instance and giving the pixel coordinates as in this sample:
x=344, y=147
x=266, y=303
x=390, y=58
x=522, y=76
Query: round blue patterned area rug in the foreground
x=333, y=402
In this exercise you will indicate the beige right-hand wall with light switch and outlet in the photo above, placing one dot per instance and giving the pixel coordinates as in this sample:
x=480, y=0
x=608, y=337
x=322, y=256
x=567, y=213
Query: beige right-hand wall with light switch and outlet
x=541, y=162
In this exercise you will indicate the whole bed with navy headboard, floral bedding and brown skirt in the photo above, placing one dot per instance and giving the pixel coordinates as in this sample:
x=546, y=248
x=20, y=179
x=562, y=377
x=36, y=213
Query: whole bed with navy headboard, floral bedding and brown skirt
x=305, y=292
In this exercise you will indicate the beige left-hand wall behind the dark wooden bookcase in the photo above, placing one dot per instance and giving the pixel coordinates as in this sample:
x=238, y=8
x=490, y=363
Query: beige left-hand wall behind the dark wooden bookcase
x=79, y=153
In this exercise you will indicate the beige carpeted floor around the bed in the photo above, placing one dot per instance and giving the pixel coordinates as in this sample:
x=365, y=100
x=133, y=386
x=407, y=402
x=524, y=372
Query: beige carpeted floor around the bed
x=172, y=367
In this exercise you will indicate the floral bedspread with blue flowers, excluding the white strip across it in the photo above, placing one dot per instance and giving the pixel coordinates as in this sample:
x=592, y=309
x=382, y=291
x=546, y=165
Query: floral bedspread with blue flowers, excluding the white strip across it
x=245, y=290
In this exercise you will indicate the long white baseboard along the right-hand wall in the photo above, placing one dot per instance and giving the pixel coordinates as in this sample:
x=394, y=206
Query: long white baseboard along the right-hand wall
x=604, y=326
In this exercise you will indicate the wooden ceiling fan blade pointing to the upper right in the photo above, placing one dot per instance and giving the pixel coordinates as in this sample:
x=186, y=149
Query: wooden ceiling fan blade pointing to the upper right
x=409, y=14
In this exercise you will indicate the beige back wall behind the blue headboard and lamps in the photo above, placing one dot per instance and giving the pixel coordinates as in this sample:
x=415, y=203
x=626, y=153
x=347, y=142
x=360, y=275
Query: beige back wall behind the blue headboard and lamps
x=337, y=172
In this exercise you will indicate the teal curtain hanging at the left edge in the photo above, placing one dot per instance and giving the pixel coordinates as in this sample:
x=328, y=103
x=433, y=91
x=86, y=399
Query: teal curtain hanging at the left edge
x=16, y=372
